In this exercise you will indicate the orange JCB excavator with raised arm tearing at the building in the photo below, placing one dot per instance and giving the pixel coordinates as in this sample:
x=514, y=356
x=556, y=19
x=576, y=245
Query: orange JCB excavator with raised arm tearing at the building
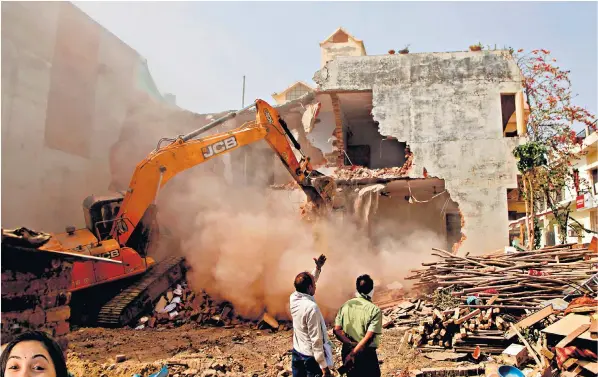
x=119, y=228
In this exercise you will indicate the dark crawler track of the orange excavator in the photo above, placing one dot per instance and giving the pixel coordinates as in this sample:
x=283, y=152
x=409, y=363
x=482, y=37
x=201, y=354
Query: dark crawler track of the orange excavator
x=138, y=297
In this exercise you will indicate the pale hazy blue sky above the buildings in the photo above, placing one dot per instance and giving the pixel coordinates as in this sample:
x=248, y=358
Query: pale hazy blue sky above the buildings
x=201, y=50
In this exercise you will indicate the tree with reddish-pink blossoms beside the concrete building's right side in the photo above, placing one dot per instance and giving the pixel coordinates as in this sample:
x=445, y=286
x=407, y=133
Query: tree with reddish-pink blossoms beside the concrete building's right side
x=545, y=160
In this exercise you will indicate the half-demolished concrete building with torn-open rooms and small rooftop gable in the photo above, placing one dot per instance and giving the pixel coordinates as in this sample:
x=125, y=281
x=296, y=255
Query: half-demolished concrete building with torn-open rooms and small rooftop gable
x=440, y=127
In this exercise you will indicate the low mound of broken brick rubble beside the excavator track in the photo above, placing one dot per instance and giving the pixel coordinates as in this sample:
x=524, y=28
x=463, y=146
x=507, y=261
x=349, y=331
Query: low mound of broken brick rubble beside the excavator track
x=180, y=305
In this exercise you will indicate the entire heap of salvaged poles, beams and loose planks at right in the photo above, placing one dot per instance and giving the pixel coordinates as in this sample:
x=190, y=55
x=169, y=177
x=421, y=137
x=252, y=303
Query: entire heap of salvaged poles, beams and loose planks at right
x=529, y=306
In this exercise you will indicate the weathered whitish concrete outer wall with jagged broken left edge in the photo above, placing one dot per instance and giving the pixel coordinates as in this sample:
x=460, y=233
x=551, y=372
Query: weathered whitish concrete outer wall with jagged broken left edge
x=446, y=107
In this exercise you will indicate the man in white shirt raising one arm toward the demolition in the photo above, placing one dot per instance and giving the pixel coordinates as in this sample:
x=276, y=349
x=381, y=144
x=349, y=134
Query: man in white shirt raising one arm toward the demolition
x=312, y=352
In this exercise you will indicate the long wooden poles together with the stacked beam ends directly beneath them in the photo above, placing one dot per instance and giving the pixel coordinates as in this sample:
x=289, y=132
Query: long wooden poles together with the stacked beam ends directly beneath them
x=492, y=297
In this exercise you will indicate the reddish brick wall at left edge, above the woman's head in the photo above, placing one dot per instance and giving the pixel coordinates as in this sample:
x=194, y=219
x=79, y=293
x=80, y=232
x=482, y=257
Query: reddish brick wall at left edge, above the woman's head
x=34, y=294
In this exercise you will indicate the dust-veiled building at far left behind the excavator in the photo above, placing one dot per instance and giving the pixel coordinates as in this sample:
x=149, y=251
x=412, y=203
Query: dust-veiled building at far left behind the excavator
x=71, y=90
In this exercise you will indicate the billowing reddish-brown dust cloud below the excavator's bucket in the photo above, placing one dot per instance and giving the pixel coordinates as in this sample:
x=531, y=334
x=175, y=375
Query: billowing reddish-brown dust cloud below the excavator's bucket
x=246, y=244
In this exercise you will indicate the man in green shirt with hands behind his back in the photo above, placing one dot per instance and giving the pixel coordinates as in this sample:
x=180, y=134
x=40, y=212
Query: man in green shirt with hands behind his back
x=358, y=326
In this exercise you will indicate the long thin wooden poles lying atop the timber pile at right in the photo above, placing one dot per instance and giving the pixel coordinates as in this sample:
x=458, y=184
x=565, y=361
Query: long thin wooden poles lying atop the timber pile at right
x=520, y=281
